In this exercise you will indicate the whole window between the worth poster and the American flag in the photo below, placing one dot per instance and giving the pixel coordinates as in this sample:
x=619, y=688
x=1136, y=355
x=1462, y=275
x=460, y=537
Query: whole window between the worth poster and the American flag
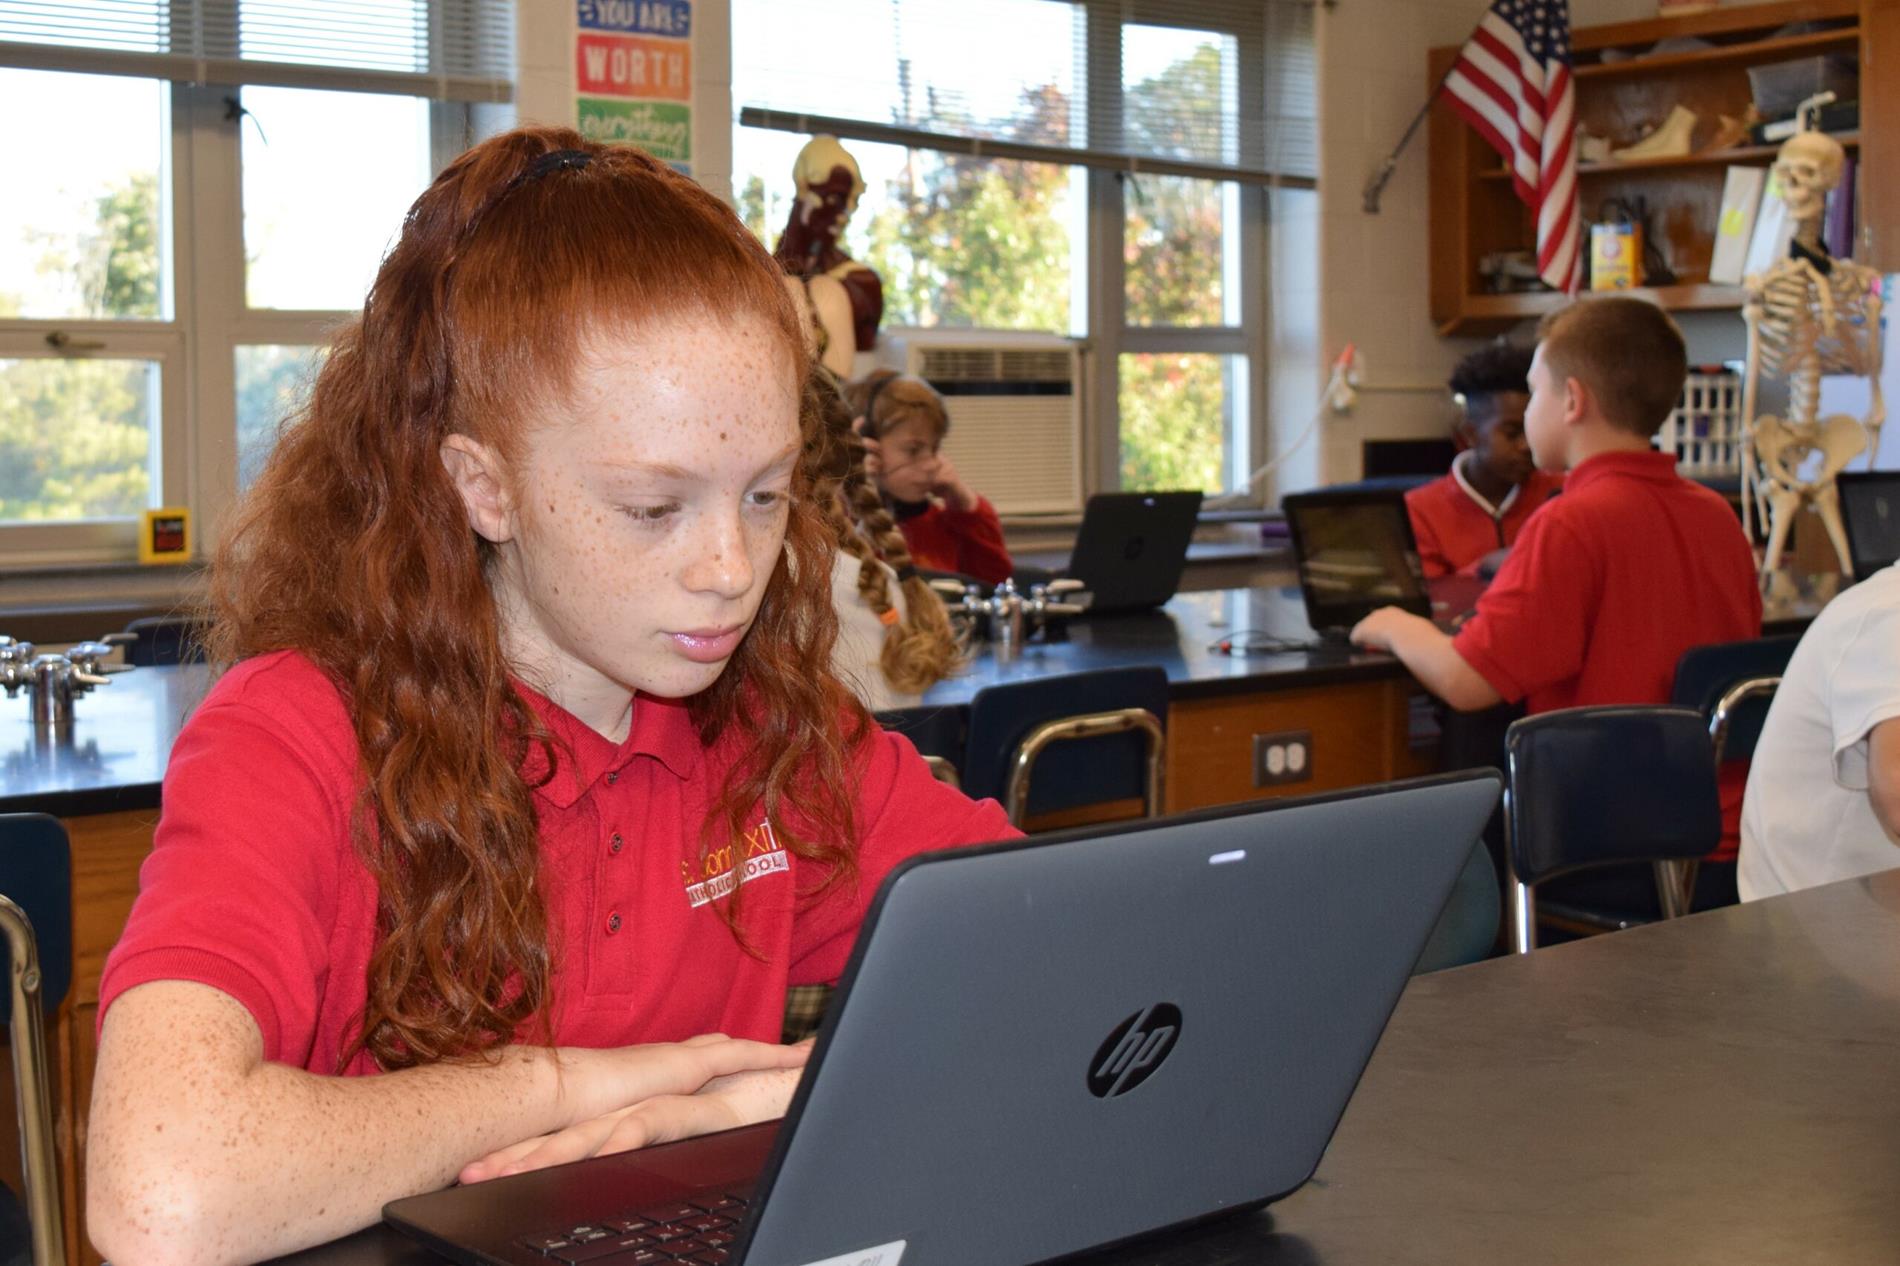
x=1074, y=166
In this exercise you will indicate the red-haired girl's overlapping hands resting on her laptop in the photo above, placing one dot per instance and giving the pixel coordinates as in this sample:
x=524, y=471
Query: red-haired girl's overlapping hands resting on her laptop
x=685, y=1088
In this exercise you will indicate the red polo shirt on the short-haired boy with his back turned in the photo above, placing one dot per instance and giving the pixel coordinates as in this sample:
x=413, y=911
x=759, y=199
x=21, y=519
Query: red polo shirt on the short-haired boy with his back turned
x=1608, y=586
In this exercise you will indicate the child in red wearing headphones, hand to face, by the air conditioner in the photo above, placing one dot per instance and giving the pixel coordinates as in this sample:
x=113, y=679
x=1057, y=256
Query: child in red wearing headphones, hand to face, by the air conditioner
x=947, y=526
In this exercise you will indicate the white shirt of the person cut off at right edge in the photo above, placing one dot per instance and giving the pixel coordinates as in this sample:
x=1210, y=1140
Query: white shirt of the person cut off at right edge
x=1806, y=816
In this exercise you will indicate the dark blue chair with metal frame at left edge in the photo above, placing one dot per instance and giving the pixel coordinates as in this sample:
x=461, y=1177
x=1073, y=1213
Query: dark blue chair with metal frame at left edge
x=37, y=923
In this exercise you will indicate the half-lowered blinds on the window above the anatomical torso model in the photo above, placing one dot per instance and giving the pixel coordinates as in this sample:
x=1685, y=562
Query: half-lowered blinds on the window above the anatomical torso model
x=1204, y=88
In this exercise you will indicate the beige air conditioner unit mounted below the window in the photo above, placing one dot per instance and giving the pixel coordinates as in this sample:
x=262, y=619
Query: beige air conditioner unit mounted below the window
x=1016, y=410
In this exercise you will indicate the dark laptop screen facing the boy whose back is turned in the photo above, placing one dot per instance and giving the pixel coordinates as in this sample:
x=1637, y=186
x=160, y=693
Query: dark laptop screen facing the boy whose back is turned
x=1356, y=554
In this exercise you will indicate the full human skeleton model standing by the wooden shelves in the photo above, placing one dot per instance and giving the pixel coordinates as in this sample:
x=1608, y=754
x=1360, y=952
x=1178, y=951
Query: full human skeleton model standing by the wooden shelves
x=1808, y=316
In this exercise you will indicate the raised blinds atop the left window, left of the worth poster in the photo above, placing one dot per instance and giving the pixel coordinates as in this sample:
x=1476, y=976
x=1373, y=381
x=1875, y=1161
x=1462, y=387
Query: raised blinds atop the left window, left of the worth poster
x=453, y=50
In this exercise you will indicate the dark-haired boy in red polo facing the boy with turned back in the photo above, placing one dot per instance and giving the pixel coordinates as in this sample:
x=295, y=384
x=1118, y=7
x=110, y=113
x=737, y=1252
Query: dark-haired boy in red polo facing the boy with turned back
x=1477, y=510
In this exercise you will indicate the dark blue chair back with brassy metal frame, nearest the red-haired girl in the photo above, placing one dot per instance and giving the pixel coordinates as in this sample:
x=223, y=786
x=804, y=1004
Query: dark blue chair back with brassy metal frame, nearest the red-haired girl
x=1055, y=744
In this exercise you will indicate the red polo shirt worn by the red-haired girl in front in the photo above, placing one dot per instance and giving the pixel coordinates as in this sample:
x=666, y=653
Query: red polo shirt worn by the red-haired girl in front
x=257, y=891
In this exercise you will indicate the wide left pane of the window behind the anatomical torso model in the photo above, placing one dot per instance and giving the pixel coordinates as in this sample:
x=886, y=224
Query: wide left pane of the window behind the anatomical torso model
x=957, y=239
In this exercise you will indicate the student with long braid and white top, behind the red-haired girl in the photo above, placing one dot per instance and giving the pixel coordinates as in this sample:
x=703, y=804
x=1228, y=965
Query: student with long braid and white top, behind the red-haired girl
x=894, y=634
